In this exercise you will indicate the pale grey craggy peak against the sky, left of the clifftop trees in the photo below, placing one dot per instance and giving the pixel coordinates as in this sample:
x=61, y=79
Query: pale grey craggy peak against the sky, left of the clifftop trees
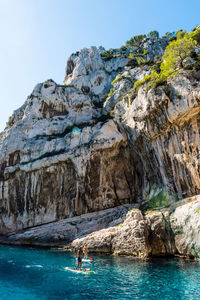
x=91, y=74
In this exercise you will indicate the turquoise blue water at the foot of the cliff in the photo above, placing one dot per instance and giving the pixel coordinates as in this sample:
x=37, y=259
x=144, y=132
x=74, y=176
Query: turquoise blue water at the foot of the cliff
x=27, y=273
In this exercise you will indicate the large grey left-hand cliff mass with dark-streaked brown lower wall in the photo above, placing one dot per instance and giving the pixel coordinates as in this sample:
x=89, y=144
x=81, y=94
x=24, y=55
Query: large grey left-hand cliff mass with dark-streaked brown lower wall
x=59, y=158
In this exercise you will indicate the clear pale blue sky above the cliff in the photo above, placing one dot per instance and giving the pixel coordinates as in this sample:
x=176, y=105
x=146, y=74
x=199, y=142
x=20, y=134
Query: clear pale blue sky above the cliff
x=37, y=36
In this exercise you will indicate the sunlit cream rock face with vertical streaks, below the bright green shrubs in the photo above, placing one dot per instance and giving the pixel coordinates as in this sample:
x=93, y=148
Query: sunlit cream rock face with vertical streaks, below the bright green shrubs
x=163, y=127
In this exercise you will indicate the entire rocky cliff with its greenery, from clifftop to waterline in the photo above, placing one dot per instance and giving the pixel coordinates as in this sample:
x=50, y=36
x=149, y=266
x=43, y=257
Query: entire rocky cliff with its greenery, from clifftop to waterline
x=111, y=157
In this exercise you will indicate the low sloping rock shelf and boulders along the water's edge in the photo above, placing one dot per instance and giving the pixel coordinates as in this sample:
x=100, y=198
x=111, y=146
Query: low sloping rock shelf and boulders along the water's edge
x=123, y=230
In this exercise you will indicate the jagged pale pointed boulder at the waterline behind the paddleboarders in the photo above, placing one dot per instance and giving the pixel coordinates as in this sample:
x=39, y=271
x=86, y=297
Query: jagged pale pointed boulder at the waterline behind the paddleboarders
x=129, y=238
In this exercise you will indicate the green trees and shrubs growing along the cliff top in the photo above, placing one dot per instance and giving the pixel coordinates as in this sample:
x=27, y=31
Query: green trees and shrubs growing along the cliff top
x=178, y=55
